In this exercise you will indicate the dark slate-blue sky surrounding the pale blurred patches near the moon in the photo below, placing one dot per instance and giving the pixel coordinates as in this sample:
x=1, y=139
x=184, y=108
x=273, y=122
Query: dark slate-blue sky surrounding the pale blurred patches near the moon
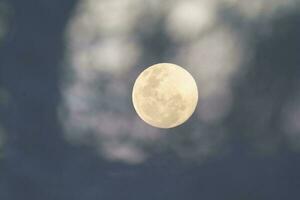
x=37, y=163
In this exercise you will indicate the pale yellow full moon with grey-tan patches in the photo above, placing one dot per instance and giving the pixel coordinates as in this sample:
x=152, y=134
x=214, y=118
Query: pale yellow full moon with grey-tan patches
x=165, y=95
